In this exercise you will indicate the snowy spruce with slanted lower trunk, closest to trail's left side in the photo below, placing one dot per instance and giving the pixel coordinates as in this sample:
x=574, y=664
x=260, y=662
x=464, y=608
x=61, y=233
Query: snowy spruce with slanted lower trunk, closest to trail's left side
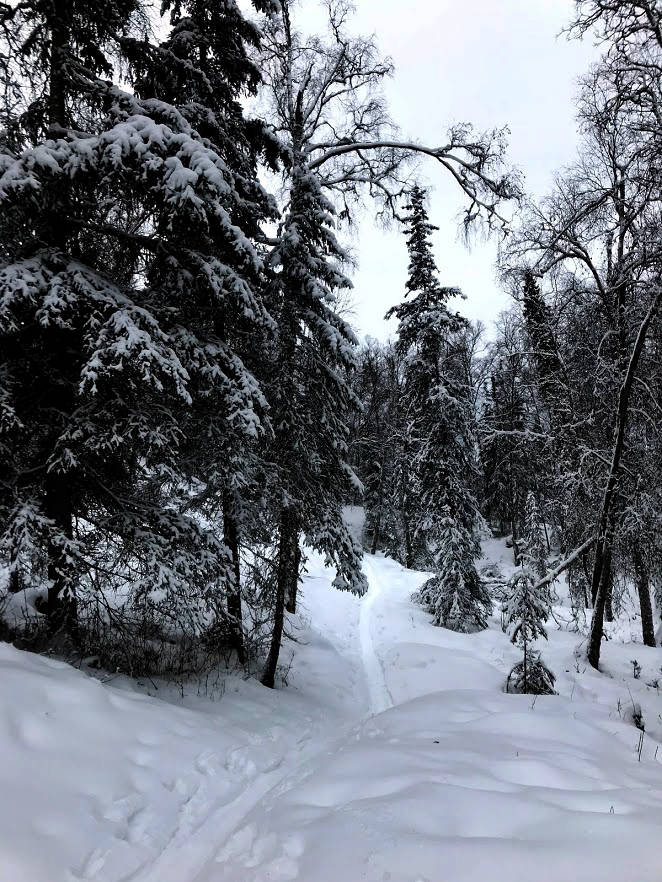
x=311, y=399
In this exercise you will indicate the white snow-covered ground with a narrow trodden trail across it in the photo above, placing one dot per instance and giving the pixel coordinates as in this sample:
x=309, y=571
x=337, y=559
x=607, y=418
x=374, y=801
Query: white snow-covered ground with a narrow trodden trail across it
x=392, y=754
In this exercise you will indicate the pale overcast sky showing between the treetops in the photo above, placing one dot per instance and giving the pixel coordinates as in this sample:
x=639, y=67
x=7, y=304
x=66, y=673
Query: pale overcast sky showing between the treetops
x=489, y=62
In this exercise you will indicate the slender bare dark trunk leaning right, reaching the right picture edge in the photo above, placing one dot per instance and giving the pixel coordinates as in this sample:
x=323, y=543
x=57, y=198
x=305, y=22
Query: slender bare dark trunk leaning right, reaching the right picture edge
x=612, y=481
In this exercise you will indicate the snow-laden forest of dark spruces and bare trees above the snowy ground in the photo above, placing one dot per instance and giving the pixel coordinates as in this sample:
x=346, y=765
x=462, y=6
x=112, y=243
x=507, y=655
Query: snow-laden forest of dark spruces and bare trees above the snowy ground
x=191, y=428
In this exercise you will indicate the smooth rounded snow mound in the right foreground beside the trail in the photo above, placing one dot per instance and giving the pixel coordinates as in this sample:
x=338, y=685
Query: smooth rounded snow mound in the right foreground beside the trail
x=460, y=786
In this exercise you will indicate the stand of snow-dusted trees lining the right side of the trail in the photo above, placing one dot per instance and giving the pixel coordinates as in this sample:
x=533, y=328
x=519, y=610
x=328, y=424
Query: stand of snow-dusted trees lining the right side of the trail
x=562, y=409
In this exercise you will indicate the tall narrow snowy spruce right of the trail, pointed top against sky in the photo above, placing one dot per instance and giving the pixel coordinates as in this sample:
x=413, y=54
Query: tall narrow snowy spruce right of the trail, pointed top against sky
x=446, y=514
